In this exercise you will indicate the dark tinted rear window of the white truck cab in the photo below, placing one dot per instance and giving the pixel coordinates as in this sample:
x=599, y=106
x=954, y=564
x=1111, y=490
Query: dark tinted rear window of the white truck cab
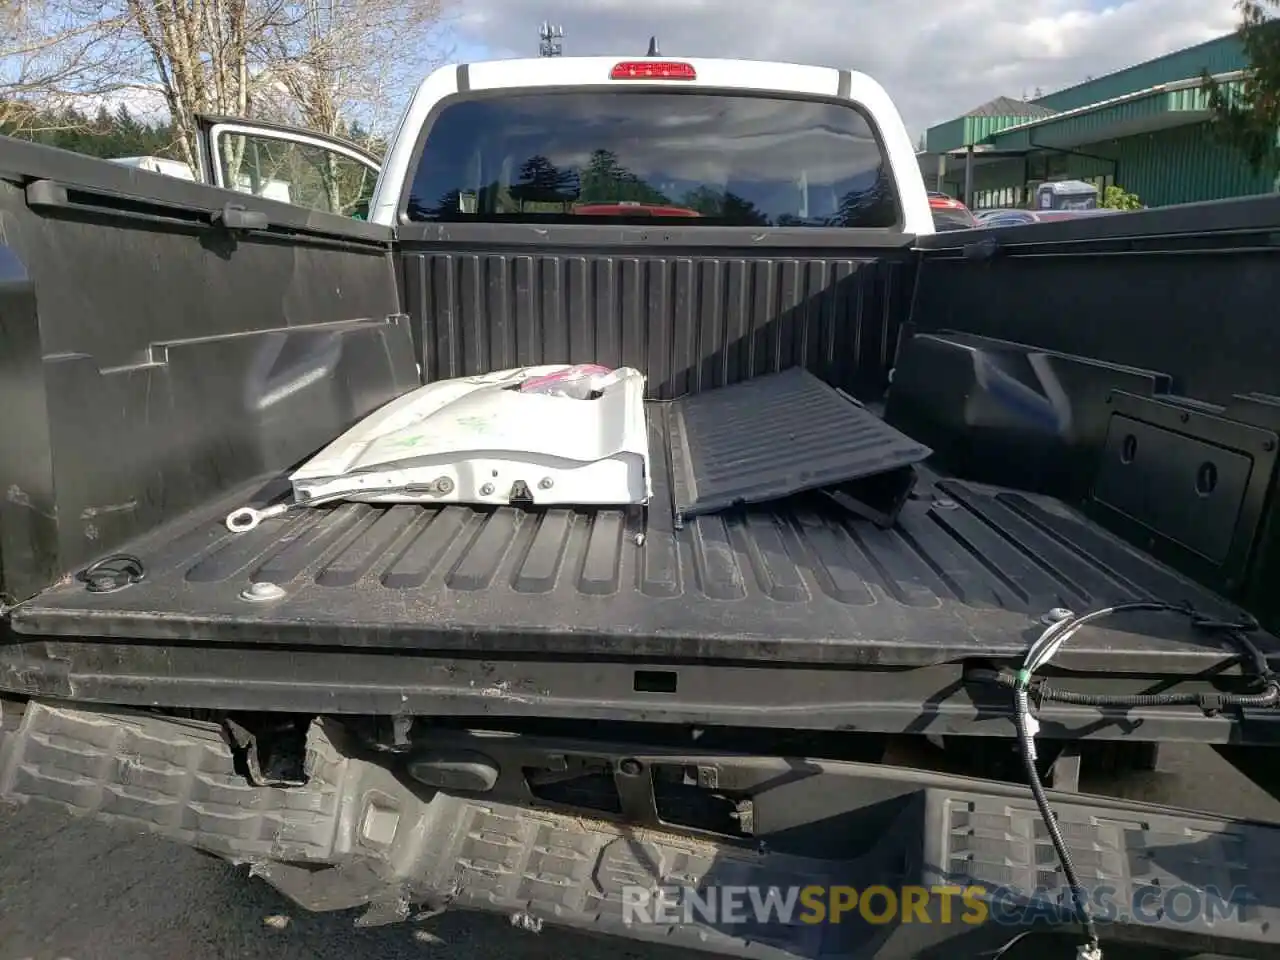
x=702, y=159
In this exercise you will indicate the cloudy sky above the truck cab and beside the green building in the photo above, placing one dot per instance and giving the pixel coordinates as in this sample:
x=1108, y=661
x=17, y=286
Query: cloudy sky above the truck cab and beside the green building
x=938, y=58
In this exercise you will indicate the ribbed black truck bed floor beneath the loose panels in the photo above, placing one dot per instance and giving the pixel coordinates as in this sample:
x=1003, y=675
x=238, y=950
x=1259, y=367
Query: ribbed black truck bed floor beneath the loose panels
x=968, y=572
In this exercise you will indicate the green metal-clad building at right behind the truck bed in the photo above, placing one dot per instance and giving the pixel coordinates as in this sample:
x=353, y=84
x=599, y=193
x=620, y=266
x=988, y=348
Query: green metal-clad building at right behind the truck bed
x=1145, y=129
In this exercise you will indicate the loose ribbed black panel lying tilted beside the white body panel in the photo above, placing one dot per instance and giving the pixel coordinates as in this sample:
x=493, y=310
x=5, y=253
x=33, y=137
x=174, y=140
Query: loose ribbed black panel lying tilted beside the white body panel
x=772, y=437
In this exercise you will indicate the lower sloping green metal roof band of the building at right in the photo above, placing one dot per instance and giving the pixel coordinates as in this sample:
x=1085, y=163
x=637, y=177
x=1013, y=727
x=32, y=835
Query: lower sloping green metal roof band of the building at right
x=1148, y=111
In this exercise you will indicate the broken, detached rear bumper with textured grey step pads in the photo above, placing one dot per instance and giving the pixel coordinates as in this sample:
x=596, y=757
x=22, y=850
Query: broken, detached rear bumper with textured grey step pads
x=359, y=835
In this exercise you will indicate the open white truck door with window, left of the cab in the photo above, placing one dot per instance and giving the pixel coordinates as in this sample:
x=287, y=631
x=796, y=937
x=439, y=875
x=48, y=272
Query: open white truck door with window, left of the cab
x=287, y=164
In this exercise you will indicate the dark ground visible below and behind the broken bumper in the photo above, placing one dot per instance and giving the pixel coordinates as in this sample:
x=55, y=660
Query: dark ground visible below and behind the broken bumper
x=79, y=892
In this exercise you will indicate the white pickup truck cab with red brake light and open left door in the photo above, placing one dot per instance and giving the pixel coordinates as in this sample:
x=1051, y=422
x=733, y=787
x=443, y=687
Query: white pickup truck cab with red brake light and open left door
x=801, y=147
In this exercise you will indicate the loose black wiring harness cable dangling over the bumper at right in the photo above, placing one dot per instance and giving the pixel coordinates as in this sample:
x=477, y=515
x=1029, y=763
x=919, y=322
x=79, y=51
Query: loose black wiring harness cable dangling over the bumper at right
x=1026, y=688
